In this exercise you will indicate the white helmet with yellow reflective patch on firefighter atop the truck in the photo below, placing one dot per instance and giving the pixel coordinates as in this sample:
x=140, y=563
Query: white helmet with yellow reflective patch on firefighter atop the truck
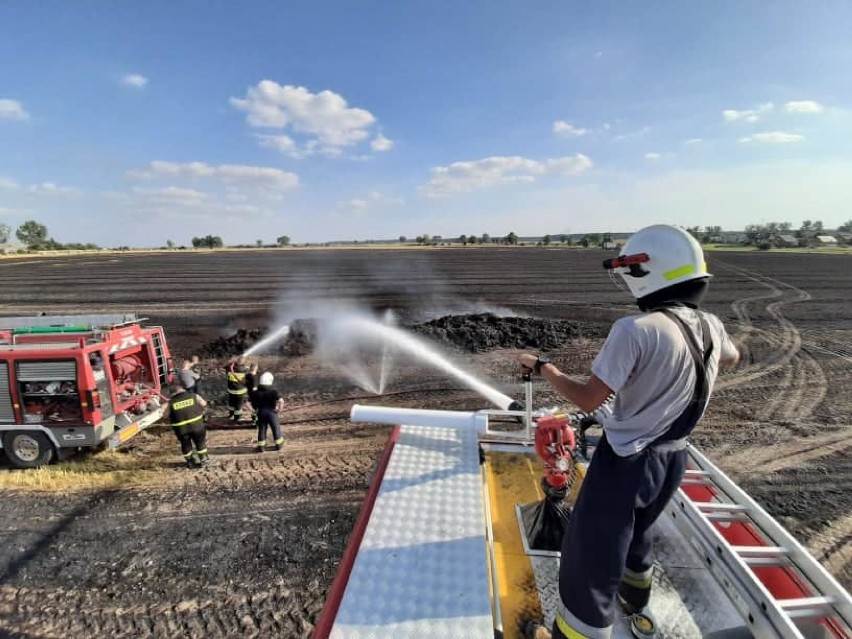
x=657, y=257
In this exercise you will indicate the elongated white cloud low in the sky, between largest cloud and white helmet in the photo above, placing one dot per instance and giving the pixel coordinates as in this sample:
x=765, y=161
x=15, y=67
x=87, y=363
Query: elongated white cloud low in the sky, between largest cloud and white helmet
x=463, y=177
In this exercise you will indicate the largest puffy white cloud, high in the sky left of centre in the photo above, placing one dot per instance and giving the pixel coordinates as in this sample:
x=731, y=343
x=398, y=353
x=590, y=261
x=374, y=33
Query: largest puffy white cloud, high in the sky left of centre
x=324, y=121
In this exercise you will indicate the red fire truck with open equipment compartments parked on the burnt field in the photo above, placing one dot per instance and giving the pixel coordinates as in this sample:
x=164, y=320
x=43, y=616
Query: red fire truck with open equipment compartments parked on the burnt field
x=72, y=381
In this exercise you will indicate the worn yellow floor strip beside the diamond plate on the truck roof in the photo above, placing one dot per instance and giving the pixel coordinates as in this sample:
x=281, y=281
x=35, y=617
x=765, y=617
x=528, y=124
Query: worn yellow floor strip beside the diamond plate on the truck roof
x=513, y=478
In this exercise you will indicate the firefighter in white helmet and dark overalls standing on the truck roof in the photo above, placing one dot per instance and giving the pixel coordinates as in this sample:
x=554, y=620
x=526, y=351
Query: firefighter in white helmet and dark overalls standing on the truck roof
x=659, y=367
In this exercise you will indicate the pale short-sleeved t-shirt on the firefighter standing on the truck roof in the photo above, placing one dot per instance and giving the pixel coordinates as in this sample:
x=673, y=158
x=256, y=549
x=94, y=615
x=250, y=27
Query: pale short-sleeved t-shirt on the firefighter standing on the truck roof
x=647, y=362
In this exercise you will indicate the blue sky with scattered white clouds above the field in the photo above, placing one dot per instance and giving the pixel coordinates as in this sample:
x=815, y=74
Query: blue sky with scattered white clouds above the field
x=136, y=123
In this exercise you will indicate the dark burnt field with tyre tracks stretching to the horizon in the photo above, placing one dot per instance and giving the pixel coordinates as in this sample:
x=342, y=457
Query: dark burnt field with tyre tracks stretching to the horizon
x=249, y=547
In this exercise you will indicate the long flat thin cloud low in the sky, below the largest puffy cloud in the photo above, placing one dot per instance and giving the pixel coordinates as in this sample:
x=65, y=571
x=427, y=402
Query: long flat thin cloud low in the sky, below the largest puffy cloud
x=233, y=174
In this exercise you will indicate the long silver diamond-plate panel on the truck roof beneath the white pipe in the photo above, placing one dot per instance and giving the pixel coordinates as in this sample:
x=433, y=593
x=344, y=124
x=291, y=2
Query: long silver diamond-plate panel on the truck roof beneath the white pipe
x=422, y=566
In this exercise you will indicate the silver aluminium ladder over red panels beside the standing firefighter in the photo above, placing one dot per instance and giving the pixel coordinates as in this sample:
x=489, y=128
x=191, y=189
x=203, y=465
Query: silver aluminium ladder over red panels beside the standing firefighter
x=776, y=584
